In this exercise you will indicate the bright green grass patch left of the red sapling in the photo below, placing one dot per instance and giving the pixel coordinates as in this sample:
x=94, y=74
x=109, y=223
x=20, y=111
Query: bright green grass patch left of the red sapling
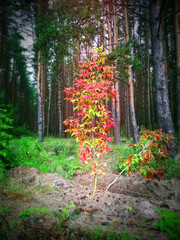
x=54, y=155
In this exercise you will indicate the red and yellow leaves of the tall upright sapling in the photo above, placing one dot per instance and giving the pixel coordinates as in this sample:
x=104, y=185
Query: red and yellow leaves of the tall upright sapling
x=93, y=121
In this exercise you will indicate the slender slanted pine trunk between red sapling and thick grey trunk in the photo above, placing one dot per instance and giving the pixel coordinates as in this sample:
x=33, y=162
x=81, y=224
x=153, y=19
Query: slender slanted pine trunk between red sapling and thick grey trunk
x=131, y=92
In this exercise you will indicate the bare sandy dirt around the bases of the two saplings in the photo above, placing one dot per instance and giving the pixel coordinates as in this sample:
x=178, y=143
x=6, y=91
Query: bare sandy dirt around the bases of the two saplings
x=130, y=202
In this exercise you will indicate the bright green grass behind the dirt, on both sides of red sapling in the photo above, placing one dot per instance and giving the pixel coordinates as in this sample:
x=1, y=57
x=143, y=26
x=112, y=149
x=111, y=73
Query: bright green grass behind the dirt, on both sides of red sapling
x=60, y=156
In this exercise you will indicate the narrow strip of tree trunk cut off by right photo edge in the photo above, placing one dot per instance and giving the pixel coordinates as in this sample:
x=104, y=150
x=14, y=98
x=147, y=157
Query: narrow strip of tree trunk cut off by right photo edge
x=177, y=45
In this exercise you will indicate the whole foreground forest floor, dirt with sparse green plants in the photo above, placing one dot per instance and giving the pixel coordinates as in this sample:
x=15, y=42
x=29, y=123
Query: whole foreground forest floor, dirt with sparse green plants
x=130, y=204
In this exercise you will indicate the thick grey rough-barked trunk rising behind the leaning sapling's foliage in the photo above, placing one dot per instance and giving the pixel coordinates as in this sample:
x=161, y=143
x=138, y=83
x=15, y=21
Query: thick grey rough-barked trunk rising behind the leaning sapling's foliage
x=164, y=117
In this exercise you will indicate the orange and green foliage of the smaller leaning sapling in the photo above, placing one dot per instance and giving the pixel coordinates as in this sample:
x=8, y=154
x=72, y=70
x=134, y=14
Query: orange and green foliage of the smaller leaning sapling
x=150, y=154
